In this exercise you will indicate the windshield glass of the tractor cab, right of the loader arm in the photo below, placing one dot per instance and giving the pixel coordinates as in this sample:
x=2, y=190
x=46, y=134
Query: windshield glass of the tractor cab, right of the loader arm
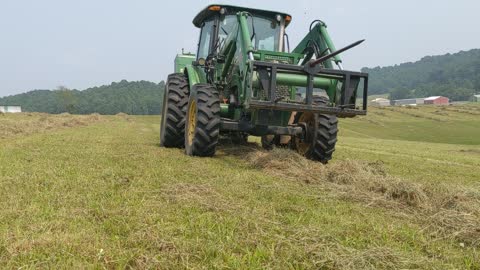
x=267, y=33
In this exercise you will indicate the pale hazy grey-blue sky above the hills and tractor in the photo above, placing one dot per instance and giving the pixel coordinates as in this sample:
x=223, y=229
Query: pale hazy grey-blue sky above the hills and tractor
x=80, y=44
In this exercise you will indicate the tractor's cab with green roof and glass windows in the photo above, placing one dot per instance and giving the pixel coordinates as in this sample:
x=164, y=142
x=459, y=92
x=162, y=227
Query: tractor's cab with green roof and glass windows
x=217, y=22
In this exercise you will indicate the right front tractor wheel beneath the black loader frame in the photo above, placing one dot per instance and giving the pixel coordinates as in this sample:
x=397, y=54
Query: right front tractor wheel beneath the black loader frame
x=318, y=142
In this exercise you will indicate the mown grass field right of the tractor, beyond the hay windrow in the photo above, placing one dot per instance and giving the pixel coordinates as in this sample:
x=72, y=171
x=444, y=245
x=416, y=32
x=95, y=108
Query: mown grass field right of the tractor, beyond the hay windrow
x=418, y=143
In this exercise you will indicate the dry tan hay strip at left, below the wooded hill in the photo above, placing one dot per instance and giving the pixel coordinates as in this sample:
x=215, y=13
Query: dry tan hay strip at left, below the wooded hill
x=30, y=123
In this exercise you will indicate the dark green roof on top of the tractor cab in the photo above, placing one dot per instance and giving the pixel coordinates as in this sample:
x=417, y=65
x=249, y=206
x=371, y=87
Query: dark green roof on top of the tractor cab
x=213, y=9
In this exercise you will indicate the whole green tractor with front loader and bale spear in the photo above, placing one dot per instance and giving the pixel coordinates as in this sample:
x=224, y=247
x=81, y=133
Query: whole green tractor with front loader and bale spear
x=244, y=80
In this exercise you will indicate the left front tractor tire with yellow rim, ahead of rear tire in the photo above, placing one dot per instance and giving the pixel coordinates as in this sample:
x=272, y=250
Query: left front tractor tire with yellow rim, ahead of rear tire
x=203, y=121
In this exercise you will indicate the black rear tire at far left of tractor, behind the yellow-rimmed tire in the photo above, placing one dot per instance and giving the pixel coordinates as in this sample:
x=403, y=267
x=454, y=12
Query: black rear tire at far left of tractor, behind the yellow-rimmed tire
x=175, y=101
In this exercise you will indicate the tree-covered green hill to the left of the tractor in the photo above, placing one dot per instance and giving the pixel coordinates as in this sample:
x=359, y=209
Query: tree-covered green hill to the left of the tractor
x=141, y=97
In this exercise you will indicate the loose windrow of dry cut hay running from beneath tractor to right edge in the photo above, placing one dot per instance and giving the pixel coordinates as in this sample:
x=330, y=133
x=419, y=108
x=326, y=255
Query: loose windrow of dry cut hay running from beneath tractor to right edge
x=446, y=211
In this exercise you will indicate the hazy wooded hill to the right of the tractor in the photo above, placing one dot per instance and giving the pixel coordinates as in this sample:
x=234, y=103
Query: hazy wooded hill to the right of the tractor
x=456, y=76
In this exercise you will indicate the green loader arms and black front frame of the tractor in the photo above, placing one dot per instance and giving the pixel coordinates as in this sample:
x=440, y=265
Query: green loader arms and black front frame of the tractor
x=260, y=71
